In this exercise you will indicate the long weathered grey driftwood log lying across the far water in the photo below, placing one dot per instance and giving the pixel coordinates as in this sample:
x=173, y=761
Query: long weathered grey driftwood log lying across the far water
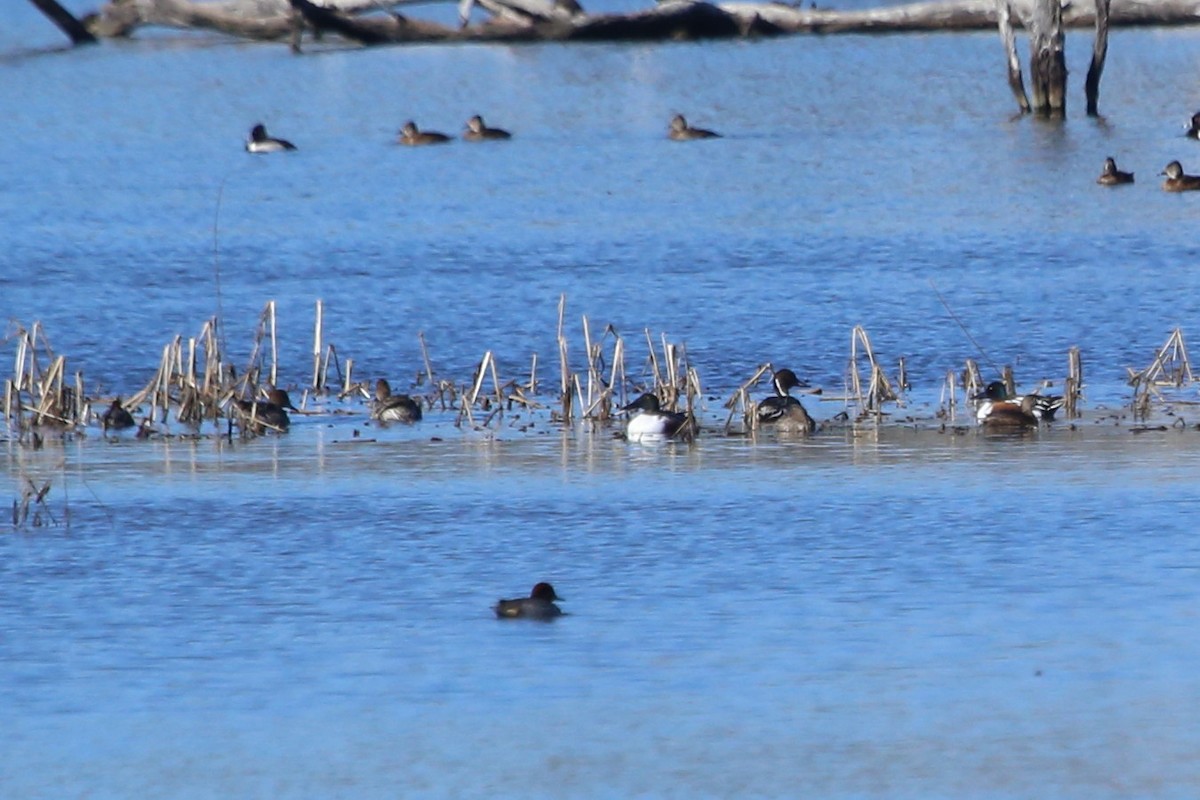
x=545, y=21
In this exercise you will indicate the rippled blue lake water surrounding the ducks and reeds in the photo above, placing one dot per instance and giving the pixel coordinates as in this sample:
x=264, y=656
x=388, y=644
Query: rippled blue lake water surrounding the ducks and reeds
x=866, y=615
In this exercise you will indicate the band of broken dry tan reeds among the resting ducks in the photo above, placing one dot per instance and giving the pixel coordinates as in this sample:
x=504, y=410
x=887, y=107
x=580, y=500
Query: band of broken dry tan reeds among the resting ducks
x=195, y=383
